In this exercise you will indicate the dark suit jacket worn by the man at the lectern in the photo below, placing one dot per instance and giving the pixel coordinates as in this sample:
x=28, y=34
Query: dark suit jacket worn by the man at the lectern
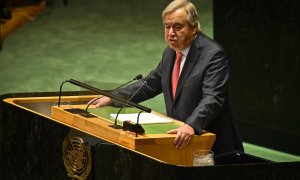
x=202, y=93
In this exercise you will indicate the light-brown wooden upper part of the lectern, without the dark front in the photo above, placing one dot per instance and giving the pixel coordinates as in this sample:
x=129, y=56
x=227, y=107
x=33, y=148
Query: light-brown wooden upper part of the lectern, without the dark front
x=158, y=146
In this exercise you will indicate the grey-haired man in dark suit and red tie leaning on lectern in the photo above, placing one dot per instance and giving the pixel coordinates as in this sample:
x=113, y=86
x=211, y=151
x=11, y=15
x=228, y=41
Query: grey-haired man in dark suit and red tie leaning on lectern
x=193, y=76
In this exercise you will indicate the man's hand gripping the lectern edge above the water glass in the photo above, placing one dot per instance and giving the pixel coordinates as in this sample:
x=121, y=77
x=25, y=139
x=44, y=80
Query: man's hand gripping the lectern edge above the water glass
x=184, y=135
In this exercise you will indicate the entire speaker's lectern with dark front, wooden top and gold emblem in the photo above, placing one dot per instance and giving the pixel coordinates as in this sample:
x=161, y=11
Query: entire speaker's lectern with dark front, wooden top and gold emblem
x=30, y=135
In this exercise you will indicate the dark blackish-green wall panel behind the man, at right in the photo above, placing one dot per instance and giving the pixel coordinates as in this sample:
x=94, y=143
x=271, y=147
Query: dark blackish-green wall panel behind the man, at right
x=262, y=41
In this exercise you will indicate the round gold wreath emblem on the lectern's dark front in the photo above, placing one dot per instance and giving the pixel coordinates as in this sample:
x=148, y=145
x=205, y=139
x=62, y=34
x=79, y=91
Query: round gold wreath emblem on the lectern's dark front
x=77, y=157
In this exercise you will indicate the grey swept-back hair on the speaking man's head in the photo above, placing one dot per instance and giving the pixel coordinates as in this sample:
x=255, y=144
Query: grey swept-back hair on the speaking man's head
x=192, y=14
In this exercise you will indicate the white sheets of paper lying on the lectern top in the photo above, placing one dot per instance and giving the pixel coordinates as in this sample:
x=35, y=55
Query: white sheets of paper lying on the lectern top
x=145, y=118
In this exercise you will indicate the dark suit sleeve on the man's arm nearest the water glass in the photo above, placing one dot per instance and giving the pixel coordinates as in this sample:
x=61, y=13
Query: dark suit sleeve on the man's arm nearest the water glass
x=214, y=91
